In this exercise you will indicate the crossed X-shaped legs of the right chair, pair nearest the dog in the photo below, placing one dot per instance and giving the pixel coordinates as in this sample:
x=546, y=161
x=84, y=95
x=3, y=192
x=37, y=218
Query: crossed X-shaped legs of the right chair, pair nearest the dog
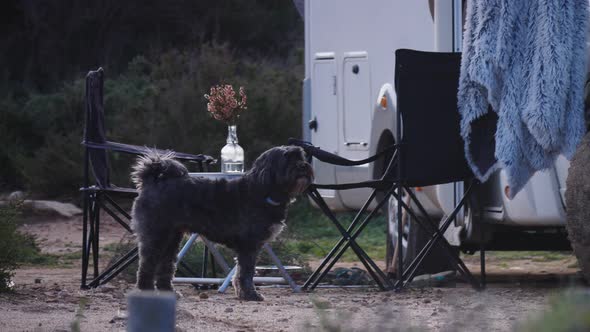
x=345, y=242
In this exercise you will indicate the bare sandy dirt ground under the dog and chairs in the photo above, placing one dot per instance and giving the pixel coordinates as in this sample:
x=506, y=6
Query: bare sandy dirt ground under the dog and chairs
x=50, y=299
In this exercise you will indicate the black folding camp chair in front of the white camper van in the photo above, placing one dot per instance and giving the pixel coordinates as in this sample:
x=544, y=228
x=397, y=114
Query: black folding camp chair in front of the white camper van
x=428, y=151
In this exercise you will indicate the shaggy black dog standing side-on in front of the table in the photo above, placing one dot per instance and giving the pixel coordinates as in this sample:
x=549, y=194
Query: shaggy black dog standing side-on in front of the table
x=242, y=214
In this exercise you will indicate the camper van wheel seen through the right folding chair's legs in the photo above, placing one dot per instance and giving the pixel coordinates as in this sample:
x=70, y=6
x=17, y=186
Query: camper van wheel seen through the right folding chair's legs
x=413, y=240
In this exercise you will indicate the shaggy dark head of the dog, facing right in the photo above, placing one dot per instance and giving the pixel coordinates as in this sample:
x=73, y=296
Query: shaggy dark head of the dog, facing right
x=283, y=168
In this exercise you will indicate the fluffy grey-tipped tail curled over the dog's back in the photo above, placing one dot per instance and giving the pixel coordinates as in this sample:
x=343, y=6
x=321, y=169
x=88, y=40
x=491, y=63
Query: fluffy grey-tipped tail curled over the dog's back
x=154, y=166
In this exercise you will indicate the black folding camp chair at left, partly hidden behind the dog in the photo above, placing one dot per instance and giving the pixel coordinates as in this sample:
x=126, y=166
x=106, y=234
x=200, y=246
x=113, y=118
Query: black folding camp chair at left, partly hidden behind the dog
x=102, y=194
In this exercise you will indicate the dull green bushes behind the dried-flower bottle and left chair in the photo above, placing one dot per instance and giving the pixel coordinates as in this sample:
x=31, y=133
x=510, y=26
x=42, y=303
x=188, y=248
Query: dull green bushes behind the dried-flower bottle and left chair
x=158, y=101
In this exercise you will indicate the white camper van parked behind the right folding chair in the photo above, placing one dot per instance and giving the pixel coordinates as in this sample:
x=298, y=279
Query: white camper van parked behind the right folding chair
x=349, y=109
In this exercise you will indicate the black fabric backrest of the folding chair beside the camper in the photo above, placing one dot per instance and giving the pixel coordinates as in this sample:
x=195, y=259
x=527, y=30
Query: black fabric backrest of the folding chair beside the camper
x=432, y=150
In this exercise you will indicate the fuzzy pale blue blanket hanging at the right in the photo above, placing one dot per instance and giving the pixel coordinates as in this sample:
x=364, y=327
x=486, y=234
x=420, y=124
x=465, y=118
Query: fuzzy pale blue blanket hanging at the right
x=524, y=61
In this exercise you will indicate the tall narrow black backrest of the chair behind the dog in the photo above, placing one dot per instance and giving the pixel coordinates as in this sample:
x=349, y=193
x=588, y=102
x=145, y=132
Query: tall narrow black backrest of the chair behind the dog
x=94, y=132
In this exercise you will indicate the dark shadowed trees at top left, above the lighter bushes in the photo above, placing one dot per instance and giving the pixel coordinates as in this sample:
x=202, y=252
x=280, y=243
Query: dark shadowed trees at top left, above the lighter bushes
x=45, y=41
